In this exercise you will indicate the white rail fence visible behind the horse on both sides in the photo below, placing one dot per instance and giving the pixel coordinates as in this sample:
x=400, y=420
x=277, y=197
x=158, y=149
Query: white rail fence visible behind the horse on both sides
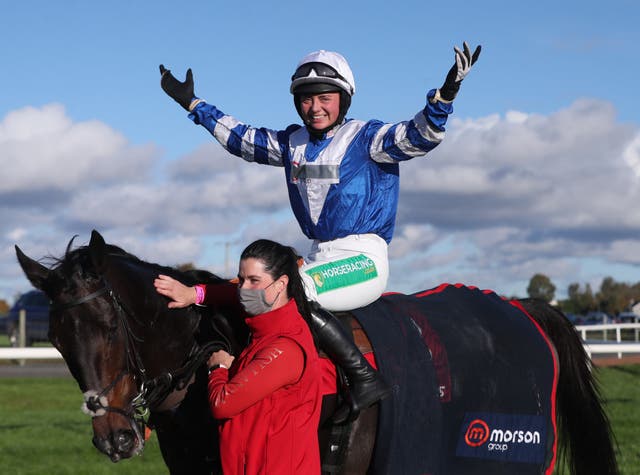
x=603, y=346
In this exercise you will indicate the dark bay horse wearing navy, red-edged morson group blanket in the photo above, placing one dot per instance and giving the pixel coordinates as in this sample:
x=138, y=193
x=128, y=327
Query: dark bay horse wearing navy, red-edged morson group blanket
x=476, y=383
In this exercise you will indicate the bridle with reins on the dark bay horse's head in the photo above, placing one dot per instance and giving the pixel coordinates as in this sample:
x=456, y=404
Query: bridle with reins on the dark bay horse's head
x=151, y=391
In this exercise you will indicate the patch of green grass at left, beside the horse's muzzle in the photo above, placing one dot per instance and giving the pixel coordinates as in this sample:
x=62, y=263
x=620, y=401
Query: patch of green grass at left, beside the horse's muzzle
x=42, y=431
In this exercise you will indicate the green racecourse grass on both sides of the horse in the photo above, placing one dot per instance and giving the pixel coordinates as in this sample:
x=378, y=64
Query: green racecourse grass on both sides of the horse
x=43, y=431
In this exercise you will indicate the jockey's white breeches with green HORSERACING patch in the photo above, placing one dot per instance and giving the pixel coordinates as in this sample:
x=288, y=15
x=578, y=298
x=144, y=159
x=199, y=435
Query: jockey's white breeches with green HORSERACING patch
x=346, y=273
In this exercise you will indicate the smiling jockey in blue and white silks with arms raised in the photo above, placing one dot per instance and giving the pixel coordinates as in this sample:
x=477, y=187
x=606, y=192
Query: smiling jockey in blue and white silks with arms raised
x=343, y=180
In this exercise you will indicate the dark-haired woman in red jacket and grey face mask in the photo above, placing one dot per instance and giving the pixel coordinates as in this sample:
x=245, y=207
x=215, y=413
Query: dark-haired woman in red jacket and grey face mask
x=268, y=400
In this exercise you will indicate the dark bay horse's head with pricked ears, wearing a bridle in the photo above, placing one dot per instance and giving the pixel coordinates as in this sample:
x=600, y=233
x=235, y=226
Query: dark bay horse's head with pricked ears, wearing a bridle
x=117, y=336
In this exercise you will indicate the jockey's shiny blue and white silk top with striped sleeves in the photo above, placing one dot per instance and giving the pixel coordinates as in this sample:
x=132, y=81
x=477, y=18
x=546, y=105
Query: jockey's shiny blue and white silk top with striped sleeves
x=344, y=183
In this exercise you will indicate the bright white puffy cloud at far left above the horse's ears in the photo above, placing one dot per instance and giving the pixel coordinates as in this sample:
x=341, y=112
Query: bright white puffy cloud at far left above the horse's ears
x=42, y=149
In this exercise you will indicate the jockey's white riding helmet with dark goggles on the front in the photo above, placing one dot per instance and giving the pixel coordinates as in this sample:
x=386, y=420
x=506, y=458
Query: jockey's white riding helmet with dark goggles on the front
x=322, y=68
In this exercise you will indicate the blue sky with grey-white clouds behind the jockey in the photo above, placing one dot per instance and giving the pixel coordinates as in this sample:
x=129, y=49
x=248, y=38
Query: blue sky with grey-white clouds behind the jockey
x=538, y=173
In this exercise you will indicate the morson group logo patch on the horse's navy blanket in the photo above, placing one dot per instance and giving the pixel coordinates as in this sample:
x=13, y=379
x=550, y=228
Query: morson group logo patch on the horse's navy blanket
x=513, y=437
